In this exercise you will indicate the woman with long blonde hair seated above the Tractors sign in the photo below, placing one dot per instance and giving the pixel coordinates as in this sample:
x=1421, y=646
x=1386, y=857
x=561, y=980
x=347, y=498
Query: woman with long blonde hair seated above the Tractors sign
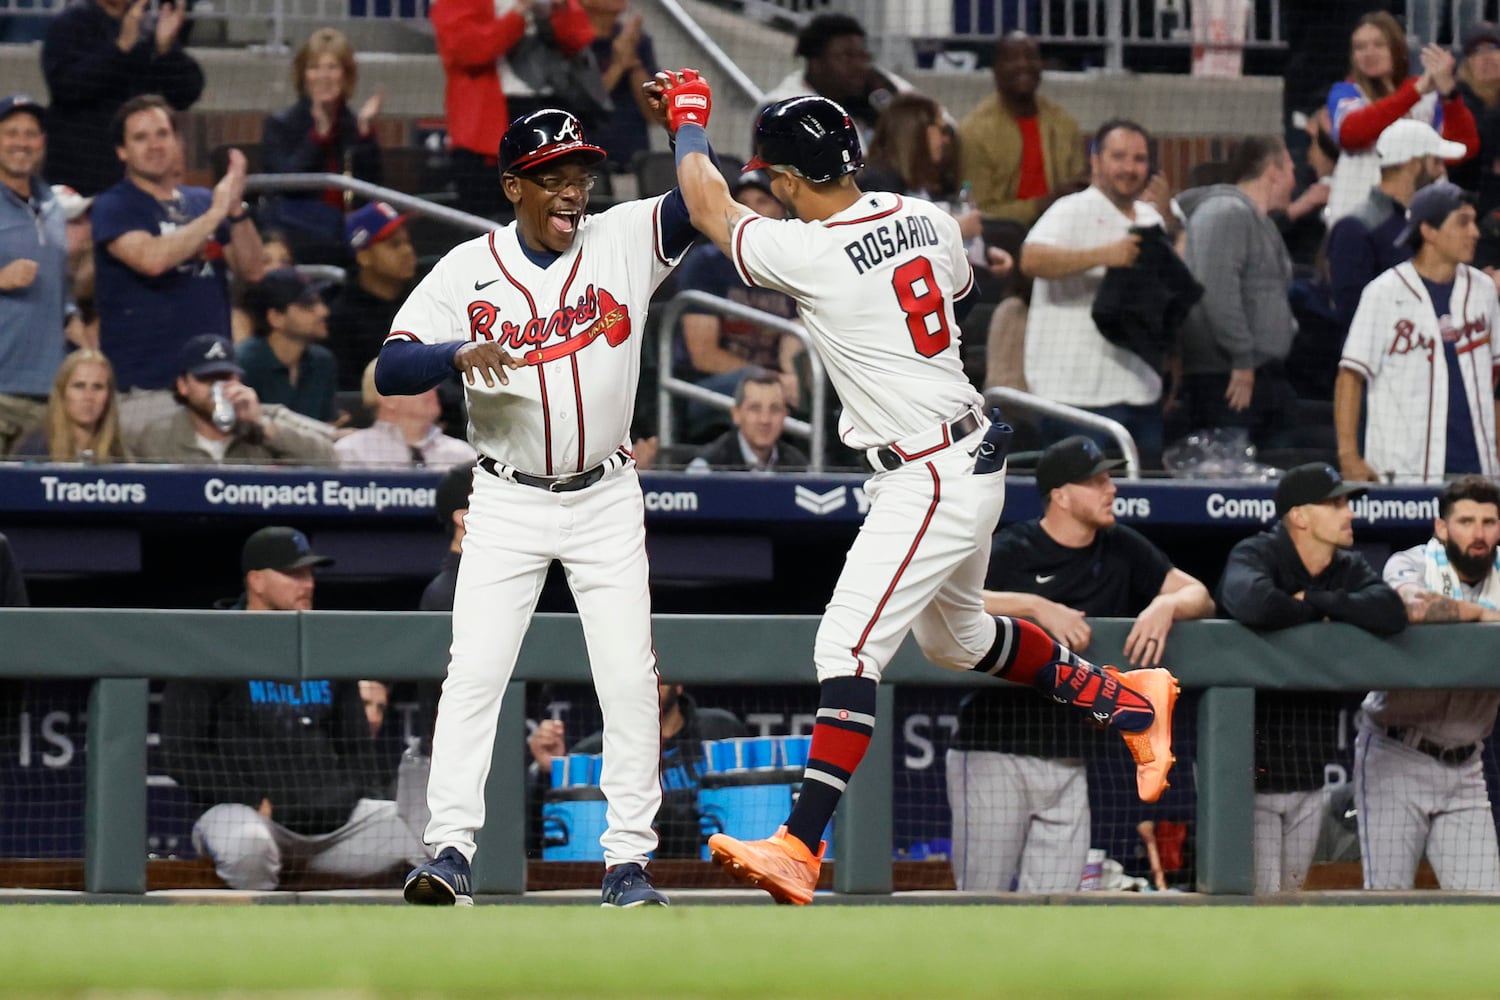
x=83, y=415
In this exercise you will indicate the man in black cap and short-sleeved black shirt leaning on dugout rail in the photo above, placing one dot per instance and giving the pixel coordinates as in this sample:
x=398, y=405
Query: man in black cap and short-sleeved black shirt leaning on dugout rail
x=1018, y=780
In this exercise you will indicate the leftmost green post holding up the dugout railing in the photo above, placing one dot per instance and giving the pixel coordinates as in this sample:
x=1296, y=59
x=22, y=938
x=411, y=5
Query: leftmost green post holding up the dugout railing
x=115, y=810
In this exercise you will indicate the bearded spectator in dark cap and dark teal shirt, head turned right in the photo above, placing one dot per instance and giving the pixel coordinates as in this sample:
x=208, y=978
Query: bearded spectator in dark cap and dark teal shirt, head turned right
x=287, y=362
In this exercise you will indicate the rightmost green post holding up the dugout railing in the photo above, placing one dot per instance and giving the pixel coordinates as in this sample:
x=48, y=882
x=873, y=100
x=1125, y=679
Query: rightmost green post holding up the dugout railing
x=1226, y=767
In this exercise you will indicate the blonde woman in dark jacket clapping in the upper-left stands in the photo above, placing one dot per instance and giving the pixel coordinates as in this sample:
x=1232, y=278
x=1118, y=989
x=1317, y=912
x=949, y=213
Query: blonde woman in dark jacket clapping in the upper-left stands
x=322, y=134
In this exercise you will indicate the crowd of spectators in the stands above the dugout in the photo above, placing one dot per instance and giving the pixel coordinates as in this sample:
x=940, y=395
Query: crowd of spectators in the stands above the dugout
x=1225, y=305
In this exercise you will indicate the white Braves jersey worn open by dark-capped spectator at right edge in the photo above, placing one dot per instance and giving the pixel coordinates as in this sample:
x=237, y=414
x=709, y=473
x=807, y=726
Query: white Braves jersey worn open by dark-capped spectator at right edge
x=1396, y=344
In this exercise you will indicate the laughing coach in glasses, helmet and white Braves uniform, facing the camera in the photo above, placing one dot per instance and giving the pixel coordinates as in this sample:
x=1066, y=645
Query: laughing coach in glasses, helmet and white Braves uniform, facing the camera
x=544, y=319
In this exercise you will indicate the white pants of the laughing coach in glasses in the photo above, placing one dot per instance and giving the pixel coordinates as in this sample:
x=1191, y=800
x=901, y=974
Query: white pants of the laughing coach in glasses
x=512, y=536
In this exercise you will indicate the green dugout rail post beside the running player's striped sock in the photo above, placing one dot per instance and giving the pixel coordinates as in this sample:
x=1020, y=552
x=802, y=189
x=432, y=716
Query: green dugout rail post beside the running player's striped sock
x=863, y=830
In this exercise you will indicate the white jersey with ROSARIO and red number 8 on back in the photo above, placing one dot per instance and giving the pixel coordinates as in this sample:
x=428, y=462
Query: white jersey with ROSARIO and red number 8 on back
x=875, y=289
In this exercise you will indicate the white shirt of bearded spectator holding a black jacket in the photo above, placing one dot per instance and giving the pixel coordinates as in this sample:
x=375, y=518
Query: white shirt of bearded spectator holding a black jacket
x=1067, y=358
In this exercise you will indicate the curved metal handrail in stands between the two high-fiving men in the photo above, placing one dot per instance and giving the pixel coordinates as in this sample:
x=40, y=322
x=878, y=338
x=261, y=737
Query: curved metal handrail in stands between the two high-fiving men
x=670, y=386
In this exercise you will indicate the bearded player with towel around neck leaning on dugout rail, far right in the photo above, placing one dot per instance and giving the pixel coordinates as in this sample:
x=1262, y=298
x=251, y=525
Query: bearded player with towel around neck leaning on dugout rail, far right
x=1420, y=777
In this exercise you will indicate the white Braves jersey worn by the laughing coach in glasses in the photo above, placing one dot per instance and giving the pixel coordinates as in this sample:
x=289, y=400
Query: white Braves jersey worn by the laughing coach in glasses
x=583, y=319
